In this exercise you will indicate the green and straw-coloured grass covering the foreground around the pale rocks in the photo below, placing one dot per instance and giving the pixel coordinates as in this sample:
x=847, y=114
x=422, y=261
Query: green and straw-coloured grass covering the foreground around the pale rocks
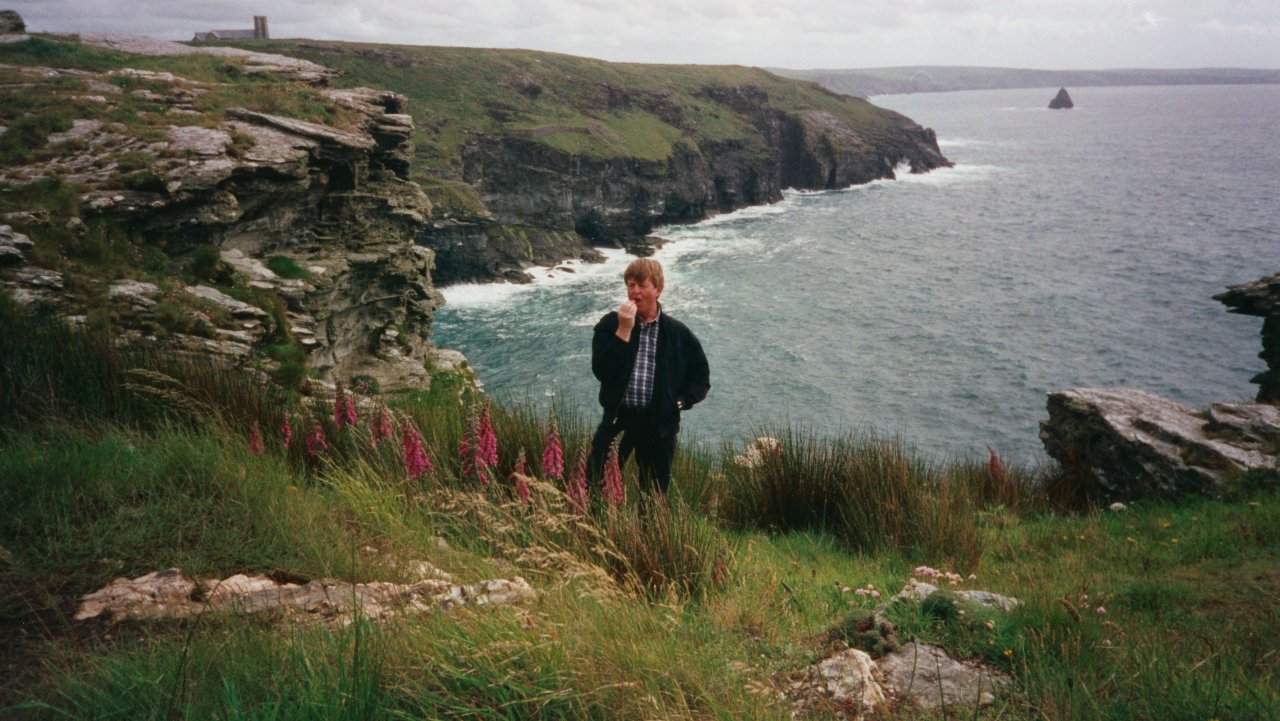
x=118, y=463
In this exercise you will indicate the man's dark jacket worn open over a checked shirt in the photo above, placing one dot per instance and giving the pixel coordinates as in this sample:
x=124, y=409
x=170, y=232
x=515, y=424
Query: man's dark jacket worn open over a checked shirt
x=682, y=369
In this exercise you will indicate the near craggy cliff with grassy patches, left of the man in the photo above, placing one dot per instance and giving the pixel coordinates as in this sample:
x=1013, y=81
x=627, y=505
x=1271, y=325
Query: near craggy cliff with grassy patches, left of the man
x=230, y=194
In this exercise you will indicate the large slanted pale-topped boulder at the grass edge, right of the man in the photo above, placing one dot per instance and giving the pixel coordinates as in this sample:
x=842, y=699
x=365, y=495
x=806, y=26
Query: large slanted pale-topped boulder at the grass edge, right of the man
x=1130, y=444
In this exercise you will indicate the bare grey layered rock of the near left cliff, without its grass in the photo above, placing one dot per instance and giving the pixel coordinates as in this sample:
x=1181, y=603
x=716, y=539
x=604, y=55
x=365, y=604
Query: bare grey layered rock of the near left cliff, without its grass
x=335, y=204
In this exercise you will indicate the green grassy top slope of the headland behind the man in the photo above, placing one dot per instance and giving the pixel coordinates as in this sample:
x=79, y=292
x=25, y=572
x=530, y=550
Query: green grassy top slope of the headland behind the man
x=573, y=104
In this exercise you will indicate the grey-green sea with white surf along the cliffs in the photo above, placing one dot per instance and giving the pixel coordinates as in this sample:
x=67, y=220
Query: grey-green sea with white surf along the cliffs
x=1066, y=249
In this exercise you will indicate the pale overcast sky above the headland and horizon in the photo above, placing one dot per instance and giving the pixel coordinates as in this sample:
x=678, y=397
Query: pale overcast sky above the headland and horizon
x=783, y=34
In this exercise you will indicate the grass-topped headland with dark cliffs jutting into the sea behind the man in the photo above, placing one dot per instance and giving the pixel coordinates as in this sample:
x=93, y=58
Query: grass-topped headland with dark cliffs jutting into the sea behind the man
x=533, y=158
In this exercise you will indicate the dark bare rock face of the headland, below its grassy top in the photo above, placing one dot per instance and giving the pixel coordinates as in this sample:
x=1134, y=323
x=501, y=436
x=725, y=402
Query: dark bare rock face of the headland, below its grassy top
x=547, y=206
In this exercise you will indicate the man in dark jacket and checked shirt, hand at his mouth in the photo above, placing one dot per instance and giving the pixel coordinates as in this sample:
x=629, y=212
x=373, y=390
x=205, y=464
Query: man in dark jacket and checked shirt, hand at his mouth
x=651, y=369
